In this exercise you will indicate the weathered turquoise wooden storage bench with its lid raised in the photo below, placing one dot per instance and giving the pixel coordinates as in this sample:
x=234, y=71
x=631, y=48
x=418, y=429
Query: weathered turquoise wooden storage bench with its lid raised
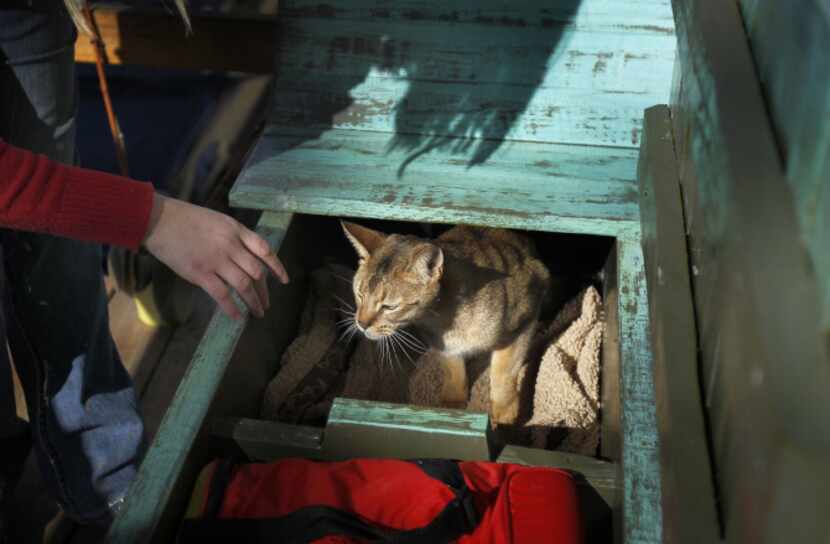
x=518, y=115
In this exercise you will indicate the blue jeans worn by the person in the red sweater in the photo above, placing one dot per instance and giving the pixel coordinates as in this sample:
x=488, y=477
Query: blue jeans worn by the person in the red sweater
x=85, y=423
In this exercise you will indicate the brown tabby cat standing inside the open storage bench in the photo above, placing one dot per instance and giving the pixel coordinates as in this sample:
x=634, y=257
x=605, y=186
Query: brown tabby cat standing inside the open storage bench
x=470, y=291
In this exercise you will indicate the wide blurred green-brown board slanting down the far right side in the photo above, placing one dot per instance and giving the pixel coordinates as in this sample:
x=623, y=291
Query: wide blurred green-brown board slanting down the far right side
x=766, y=369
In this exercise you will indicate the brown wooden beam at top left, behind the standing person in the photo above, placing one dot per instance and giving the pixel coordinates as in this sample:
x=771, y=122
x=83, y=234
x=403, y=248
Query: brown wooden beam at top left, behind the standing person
x=158, y=40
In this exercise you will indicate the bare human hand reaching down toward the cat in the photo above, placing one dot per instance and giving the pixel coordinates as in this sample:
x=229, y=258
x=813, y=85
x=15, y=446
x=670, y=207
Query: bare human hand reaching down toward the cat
x=213, y=251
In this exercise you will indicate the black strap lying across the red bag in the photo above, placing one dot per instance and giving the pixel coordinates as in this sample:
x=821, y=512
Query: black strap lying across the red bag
x=307, y=524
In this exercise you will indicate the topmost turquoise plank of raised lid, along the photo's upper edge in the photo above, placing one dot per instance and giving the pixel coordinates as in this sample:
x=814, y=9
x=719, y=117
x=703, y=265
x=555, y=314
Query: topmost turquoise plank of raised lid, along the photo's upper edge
x=633, y=16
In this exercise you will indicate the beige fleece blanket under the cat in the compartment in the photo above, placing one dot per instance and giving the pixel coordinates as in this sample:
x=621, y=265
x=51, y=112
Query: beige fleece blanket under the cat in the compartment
x=562, y=385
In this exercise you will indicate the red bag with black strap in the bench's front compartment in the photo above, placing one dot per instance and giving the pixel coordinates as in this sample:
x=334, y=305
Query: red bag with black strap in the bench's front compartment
x=383, y=500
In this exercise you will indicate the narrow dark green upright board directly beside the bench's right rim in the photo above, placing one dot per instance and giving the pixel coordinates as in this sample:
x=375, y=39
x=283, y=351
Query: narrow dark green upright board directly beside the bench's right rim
x=685, y=467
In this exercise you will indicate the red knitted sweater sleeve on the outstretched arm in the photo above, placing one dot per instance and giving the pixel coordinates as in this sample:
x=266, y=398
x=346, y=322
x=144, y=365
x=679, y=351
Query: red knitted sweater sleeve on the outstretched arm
x=40, y=195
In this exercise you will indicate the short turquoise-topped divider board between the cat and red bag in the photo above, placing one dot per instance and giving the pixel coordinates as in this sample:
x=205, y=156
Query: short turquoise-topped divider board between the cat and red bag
x=373, y=429
